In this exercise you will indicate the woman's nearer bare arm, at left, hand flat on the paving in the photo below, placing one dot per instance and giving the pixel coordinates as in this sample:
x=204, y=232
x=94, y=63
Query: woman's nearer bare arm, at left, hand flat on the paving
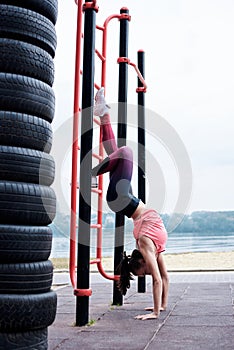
x=148, y=250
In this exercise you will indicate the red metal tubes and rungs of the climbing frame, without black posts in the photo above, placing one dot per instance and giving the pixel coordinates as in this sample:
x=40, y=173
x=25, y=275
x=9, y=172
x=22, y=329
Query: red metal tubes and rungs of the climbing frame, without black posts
x=75, y=148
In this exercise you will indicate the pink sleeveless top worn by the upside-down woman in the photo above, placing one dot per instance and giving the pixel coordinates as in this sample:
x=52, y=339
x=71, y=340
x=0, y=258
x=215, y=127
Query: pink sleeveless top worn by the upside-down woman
x=150, y=224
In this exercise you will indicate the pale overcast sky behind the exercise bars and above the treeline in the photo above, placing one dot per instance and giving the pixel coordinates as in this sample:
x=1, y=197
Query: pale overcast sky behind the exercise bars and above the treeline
x=190, y=77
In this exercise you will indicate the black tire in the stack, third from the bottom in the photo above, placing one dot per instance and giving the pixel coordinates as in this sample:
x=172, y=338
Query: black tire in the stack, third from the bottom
x=26, y=278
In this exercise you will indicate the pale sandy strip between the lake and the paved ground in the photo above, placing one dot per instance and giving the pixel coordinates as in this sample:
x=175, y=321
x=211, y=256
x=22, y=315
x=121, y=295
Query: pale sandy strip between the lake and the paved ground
x=175, y=262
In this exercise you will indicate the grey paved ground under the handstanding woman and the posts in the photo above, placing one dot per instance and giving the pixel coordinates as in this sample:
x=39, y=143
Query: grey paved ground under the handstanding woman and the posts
x=199, y=316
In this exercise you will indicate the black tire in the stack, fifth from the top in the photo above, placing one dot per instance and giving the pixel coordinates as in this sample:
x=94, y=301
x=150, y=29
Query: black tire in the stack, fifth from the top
x=22, y=130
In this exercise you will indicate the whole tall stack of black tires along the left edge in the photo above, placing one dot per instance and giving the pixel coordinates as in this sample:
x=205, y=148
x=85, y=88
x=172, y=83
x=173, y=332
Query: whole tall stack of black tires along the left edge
x=27, y=202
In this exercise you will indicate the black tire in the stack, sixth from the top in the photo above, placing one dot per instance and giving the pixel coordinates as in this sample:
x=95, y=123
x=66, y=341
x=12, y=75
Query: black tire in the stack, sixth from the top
x=26, y=165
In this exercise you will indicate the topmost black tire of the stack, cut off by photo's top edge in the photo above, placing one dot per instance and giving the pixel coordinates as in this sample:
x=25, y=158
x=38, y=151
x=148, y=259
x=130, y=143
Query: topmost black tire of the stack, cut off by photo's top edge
x=47, y=8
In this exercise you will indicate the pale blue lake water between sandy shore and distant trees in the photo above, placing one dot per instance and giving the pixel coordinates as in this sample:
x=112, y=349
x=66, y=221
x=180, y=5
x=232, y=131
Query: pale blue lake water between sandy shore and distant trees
x=177, y=243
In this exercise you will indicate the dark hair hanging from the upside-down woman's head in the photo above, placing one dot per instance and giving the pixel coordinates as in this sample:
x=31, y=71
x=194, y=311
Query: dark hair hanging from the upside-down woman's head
x=128, y=267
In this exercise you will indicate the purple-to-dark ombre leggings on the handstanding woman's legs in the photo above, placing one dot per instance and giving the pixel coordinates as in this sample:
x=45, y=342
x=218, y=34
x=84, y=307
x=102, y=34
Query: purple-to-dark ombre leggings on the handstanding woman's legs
x=119, y=164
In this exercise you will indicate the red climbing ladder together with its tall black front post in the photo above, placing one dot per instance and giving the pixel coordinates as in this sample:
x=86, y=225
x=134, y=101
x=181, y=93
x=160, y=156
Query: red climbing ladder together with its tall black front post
x=79, y=275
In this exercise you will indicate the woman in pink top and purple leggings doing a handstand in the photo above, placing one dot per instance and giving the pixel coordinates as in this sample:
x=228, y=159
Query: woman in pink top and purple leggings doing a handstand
x=149, y=230
